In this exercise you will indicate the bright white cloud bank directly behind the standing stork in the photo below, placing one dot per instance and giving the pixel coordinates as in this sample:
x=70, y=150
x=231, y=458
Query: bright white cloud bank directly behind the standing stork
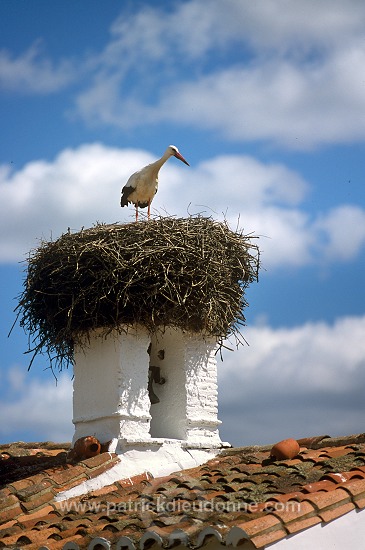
x=82, y=186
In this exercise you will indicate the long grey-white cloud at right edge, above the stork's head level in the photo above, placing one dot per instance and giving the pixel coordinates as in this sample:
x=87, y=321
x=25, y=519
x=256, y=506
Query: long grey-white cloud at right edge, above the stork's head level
x=299, y=106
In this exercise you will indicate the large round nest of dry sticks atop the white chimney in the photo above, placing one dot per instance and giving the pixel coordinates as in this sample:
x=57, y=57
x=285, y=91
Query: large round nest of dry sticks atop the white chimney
x=188, y=273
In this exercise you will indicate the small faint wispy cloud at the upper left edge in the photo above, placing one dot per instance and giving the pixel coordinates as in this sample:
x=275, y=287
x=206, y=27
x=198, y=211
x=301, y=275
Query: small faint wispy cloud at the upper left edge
x=32, y=72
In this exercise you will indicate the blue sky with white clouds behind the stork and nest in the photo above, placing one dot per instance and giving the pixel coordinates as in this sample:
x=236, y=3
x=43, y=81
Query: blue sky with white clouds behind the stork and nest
x=266, y=101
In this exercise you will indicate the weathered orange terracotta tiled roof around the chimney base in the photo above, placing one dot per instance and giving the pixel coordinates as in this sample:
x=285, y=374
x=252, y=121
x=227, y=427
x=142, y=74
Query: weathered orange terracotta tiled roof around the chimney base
x=241, y=495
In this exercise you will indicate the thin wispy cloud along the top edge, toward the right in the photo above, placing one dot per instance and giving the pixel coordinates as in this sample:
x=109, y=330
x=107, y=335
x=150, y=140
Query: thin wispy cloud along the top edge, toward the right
x=195, y=28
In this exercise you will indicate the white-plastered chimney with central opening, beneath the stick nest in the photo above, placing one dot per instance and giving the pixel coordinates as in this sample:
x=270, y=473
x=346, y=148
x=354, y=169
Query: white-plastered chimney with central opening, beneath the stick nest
x=142, y=391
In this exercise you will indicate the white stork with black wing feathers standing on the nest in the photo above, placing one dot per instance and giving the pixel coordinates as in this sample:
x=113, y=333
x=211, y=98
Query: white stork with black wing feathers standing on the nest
x=142, y=185
